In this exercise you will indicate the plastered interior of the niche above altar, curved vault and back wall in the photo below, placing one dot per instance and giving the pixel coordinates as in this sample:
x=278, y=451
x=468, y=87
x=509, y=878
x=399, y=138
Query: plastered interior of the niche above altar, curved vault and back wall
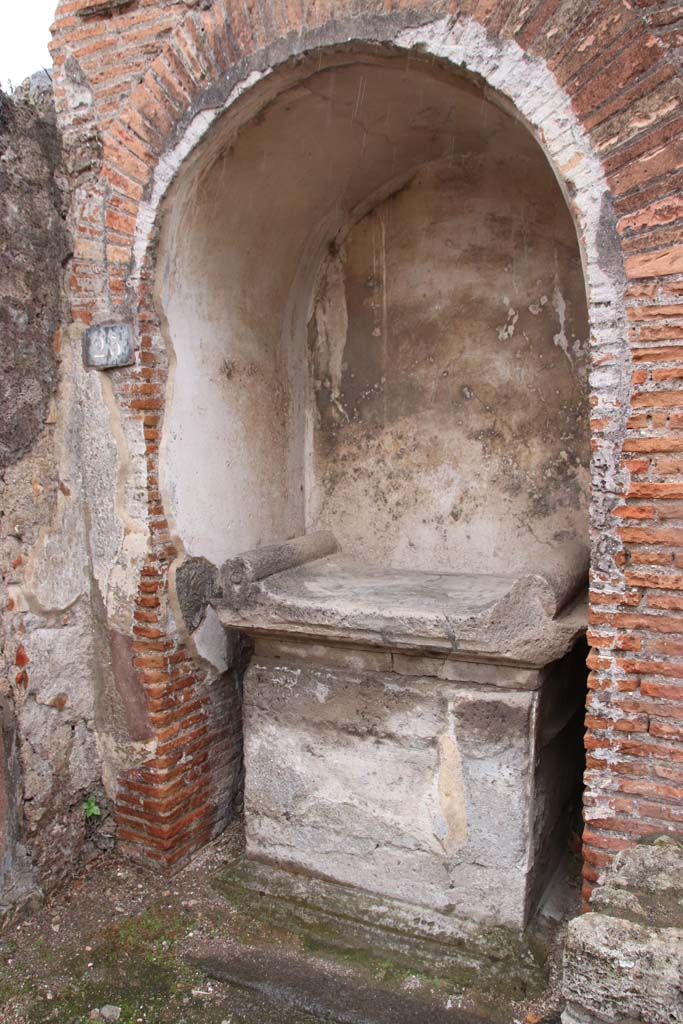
x=374, y=301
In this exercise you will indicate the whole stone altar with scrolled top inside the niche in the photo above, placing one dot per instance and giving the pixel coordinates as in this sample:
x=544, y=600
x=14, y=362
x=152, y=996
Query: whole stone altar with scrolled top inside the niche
x=410, y=734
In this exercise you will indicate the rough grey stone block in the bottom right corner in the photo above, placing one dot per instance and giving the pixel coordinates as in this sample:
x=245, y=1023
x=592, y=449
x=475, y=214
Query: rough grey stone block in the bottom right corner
x=624, y=962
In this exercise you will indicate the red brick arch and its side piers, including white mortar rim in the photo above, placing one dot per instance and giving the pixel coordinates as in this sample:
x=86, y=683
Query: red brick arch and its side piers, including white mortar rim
x=600, y=92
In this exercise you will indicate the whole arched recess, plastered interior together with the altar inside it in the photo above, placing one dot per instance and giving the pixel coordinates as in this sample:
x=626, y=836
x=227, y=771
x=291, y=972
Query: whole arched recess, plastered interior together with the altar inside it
x=374, y=296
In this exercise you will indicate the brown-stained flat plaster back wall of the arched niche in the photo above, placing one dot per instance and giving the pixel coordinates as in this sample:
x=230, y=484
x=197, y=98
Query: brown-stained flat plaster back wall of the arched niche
x=453, y=432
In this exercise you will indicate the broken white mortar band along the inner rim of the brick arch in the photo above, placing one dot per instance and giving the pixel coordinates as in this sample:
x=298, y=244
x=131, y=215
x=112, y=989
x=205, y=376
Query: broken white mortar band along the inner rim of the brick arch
x=537, y=100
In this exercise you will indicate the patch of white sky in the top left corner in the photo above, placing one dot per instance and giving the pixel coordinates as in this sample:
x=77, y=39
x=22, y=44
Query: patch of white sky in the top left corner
x=25, y=33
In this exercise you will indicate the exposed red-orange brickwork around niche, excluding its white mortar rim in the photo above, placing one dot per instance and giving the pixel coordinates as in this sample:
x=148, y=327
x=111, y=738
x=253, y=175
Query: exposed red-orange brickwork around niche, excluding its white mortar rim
x=147, y=69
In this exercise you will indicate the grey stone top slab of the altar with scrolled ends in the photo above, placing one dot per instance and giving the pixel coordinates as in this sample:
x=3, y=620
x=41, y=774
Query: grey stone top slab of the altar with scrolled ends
x=511, y=620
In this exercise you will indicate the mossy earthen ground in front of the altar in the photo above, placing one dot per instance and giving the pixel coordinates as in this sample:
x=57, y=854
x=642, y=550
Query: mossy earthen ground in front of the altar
x=186, y=951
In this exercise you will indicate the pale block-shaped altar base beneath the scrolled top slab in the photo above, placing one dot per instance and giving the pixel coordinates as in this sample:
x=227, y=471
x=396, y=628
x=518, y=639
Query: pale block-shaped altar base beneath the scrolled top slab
x=420, y=790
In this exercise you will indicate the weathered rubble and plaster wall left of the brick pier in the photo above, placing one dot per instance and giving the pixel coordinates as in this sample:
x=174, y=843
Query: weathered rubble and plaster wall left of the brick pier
x=65, y=721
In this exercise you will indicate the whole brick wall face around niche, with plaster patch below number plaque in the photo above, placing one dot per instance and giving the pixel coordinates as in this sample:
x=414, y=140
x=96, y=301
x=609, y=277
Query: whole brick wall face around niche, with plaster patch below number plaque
x=139, y=84
